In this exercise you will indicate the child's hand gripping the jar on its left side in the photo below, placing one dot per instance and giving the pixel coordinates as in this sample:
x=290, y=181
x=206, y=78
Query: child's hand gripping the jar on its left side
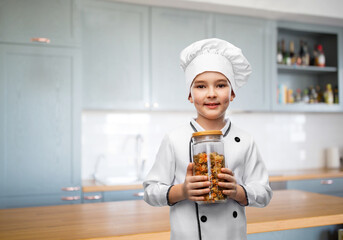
x=195, y=186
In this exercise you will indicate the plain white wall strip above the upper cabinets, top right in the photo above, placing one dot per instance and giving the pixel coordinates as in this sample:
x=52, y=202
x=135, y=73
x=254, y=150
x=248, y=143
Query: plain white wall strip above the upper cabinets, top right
x=319, y=12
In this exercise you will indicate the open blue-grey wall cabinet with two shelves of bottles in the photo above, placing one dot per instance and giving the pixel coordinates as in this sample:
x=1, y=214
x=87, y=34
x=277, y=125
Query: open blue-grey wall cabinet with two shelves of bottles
x=307, y=68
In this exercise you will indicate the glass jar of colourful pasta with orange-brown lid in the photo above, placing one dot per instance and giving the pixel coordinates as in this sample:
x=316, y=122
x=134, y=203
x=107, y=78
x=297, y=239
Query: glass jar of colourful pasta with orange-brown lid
x=208, y=158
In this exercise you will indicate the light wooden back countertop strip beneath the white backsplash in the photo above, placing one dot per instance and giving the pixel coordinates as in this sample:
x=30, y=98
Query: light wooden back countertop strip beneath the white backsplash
x=274, y=176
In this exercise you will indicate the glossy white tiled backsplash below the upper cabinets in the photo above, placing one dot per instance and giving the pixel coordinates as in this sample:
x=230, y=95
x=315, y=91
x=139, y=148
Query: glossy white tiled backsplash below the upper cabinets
x=286, y=141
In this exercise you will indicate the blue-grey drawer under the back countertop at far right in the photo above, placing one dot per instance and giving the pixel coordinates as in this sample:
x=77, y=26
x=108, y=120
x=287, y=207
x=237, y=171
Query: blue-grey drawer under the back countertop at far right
x=326, y=186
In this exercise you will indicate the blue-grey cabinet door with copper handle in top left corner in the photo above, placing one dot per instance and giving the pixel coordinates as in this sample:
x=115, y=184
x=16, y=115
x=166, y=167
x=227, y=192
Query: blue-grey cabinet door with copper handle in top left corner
x=39, y=21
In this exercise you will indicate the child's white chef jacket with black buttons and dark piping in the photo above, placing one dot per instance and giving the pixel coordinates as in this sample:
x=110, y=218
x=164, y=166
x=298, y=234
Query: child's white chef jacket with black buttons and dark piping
x=191, y=221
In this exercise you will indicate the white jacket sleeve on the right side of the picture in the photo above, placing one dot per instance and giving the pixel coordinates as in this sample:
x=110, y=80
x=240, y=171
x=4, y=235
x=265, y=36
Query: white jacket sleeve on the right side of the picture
x=256, y=179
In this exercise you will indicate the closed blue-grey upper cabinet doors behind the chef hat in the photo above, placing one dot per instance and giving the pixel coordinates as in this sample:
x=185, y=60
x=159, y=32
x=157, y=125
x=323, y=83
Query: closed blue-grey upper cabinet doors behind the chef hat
x=108, y=57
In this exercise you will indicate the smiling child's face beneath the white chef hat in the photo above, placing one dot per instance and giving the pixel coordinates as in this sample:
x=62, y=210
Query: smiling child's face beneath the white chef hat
x=210, y=94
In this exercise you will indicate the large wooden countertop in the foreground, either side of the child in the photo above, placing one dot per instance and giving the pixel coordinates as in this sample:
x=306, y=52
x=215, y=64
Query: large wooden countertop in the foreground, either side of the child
x=289, y=209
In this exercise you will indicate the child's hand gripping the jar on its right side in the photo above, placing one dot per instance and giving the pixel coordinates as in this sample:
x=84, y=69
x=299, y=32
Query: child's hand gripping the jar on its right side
x=231, y=188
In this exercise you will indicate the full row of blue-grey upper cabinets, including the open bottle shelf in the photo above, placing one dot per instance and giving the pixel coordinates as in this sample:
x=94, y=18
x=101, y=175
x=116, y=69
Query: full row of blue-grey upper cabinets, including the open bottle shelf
x=131, y=58
